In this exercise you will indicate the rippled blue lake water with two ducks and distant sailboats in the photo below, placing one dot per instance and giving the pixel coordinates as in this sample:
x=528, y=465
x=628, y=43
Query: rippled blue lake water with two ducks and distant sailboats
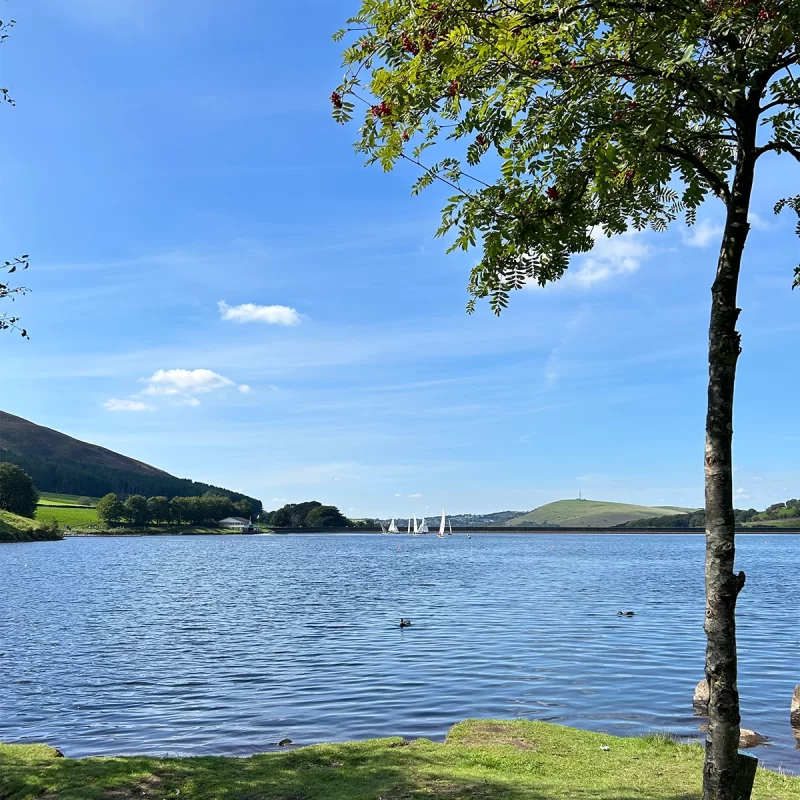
x=196, y=645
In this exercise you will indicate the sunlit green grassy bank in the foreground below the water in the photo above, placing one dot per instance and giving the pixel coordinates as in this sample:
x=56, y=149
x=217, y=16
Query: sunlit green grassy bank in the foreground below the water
x=481, y=760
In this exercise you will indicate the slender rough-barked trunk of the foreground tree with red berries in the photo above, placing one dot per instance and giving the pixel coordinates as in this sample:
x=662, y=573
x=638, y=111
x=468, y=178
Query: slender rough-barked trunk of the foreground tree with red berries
x=722, y=584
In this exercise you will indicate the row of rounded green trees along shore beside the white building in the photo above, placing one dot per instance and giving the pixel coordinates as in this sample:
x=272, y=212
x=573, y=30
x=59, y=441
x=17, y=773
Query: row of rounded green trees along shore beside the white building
x=140, y=511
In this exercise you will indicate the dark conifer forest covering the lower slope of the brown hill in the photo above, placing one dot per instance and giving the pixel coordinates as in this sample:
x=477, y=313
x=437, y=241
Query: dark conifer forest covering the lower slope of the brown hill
x=64, y=476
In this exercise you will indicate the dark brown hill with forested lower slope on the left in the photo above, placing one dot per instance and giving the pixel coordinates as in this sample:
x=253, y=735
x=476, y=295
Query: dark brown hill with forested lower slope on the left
x=63, y=465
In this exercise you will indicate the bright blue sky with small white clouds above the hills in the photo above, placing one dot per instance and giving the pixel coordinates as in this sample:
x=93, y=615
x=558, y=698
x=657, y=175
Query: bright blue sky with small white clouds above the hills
x=166, y=158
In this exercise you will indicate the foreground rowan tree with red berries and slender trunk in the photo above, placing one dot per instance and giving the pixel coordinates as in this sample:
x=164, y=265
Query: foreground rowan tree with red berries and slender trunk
x=603, y=116
